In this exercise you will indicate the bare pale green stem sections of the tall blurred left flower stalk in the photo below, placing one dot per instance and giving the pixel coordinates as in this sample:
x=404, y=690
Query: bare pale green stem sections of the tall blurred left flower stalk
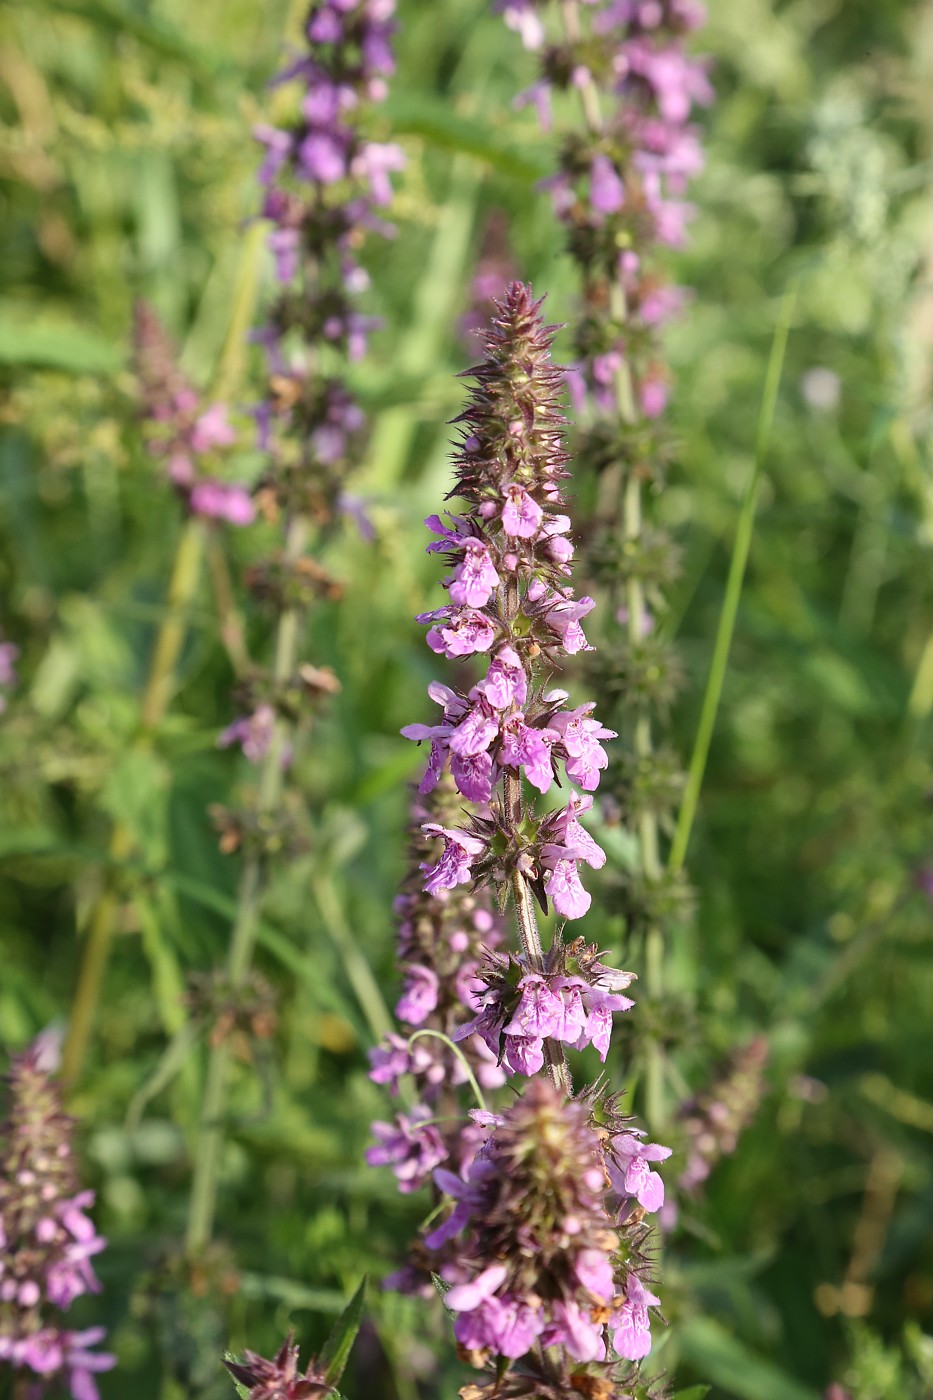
x=204, y=1192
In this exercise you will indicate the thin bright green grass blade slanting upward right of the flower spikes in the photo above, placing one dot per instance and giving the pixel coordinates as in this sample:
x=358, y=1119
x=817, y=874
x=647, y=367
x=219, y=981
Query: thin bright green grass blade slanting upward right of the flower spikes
x=735, y=583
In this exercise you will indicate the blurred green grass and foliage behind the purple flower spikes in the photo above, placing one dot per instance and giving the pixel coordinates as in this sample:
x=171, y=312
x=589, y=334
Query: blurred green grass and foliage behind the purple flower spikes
x=127, y=170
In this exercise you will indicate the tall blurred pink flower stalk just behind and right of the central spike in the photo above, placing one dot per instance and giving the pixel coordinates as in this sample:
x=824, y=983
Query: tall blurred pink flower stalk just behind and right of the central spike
x=620, y=191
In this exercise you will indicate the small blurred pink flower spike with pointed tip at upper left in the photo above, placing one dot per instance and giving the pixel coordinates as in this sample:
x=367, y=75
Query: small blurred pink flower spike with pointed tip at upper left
x=187, y=433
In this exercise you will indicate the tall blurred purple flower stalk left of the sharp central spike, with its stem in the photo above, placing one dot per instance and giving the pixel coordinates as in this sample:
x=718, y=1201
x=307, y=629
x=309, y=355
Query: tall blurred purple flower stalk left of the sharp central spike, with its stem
x=324, y=184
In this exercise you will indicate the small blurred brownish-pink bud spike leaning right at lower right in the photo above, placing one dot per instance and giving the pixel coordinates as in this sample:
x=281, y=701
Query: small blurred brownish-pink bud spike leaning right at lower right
x=715, y=1119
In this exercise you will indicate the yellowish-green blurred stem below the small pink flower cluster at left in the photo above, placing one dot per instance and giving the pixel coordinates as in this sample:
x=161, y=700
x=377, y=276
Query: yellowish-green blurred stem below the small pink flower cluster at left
x=159, y=689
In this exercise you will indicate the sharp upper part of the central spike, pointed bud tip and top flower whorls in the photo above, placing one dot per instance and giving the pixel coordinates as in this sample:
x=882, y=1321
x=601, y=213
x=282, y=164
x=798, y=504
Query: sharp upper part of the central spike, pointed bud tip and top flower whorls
x=511, y=601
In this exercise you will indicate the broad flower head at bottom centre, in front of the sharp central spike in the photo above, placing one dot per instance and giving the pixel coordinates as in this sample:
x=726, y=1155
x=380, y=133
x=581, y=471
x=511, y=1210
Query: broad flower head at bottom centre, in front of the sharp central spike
x=541, y=1259
